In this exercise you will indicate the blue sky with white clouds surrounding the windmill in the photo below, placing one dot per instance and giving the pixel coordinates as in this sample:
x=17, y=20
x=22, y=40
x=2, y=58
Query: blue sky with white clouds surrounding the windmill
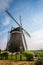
x=31, y=12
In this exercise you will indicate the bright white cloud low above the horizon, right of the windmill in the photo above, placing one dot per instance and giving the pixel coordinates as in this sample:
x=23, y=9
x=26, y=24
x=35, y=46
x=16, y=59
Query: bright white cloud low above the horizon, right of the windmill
x=36, y=41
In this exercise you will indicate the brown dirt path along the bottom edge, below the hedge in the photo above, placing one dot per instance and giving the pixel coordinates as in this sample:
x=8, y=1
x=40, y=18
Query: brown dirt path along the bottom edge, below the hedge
x=5, y=62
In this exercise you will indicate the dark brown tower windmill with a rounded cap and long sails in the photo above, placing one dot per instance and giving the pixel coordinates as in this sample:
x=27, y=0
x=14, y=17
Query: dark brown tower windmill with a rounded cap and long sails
x=18, y=35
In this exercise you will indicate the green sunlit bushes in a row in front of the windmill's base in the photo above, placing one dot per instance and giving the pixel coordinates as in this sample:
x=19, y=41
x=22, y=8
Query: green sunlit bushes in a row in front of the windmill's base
x=25, y=56
